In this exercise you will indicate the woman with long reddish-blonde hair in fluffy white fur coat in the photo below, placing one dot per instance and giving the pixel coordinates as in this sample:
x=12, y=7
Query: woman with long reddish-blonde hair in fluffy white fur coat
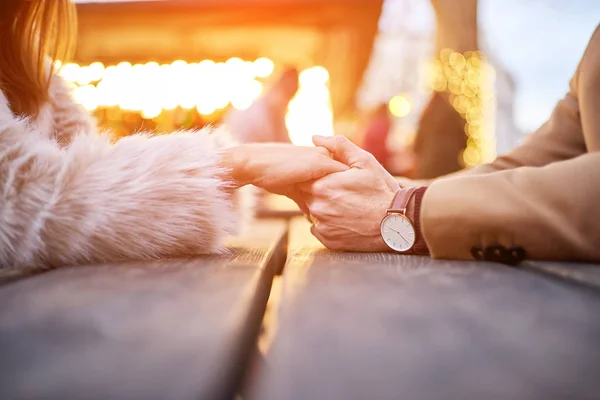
x=70, y=196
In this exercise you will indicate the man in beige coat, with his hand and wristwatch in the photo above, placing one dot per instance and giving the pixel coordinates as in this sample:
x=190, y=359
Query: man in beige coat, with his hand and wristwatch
x=539, y=201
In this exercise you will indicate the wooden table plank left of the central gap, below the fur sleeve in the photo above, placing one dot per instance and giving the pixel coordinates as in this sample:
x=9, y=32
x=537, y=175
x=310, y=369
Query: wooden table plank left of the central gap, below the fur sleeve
x=177, y=329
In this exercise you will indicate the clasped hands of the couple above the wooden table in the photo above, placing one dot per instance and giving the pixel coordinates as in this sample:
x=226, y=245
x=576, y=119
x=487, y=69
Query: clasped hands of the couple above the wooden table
x=342, y=187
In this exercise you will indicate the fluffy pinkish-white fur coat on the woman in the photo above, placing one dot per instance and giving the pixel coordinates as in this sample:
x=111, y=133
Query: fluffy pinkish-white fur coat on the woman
x=70, y=196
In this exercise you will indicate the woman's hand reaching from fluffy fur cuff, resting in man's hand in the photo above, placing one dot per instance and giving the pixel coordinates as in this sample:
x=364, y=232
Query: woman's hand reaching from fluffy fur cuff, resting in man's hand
x=277, y=167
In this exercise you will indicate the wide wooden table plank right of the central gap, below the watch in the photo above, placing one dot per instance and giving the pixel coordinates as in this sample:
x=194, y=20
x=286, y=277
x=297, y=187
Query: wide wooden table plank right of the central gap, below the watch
x=385, y=326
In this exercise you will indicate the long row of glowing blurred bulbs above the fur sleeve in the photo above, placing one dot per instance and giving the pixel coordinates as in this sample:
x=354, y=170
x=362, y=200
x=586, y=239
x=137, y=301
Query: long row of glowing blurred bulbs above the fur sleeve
x=151, y=88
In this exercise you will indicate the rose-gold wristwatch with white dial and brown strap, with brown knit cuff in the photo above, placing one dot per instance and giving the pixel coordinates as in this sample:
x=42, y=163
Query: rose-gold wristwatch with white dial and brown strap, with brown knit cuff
x=397, y=230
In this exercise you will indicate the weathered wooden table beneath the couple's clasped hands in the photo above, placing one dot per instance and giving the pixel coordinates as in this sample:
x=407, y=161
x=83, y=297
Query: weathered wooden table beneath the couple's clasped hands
x=347, y=326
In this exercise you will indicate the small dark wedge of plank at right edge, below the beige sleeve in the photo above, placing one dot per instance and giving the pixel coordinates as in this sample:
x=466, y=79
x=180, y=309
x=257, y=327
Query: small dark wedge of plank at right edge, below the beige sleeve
x=580, y=273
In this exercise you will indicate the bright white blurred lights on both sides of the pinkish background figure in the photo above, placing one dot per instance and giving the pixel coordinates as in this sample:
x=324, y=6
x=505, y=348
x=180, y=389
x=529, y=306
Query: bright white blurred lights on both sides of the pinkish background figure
x=209, y=88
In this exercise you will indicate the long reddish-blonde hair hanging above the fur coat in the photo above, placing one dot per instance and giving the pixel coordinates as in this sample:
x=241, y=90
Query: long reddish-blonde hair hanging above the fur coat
x=33, y=33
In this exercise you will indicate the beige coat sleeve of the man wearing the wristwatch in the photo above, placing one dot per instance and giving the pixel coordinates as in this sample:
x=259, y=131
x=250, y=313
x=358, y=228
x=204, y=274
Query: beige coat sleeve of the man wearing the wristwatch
x=543, y=196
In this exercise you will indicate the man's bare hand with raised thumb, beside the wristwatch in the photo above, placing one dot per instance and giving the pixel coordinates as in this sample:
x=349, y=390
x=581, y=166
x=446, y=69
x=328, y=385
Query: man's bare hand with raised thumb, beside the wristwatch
x=347, y=207
